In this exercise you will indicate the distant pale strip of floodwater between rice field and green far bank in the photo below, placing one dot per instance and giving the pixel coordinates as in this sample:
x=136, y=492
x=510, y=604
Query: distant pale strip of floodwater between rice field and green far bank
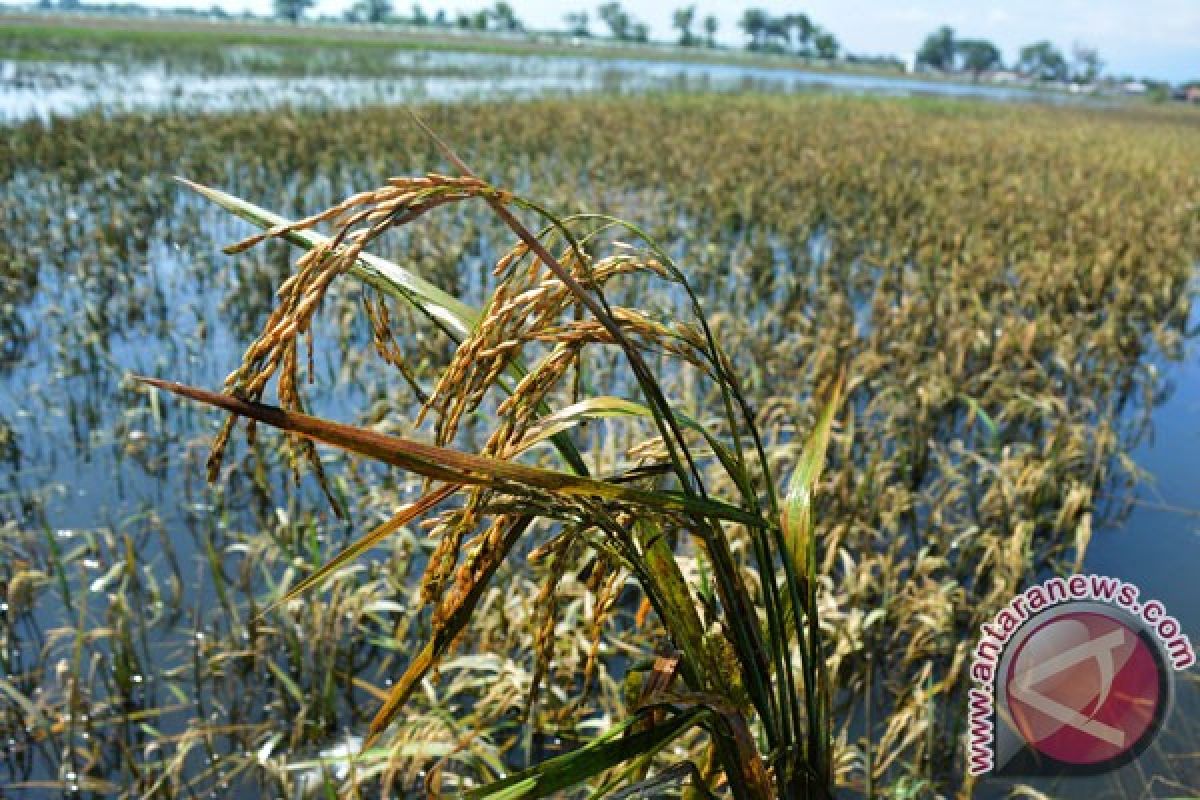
x=34, y=89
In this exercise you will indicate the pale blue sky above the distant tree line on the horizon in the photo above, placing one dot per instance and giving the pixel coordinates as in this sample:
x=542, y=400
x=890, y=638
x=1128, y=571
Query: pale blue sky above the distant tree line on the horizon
x=1156, y=39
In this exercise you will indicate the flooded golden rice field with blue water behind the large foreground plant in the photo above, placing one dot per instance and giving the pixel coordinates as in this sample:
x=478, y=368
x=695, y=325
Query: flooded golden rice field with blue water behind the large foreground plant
x=1009, y=290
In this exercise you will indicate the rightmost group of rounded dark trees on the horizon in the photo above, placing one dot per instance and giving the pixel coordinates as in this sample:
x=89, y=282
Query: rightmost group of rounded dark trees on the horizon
x=946, y=52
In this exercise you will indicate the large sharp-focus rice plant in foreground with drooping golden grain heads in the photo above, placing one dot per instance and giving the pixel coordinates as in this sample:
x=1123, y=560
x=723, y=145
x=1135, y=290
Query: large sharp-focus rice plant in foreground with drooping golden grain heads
x=751, y=671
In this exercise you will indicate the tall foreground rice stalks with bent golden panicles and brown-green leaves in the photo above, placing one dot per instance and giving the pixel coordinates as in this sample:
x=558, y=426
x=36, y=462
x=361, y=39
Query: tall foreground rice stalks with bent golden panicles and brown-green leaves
x=741, y=672
